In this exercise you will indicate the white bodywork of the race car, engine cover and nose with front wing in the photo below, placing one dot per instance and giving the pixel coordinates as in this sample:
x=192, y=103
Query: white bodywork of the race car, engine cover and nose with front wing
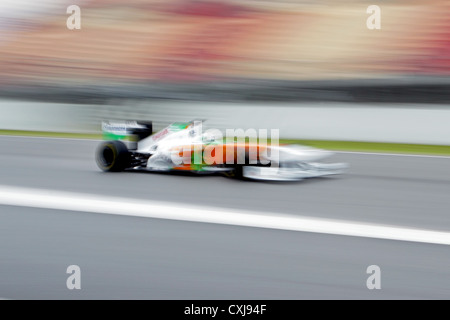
x=288, y=162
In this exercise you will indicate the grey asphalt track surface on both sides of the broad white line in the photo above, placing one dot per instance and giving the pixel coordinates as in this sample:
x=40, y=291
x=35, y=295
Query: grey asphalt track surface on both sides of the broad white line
x=123, y=257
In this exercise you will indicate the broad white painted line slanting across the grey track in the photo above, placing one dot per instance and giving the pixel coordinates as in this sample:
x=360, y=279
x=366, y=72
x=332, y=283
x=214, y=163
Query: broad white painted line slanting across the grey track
x=49, y=199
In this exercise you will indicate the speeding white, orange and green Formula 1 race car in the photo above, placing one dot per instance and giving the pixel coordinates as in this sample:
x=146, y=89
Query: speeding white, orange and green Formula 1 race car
x=132, y=145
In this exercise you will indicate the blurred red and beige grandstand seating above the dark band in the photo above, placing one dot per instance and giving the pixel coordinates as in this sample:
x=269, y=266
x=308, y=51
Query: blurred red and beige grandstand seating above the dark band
x=174, y=40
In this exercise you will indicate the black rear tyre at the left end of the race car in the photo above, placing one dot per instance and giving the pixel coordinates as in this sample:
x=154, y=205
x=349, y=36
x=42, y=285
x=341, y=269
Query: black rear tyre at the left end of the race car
x=112, y=156
